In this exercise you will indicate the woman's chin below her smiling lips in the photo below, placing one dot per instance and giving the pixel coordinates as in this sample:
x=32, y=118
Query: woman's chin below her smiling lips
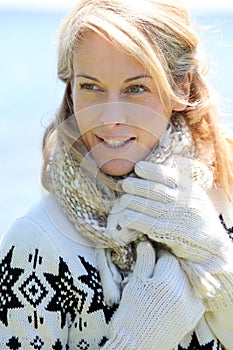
x=118, y=167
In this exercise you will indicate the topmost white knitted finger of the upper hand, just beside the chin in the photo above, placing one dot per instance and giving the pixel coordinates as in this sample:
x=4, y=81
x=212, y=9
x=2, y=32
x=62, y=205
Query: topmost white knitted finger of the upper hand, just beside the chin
x=158, y=173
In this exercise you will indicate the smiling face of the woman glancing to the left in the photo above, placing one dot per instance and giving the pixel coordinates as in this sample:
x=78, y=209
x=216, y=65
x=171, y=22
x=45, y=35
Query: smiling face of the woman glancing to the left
x=116, y=105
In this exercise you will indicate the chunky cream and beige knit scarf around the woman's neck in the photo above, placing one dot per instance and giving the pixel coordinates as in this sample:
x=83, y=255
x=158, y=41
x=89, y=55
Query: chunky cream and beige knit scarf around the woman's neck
x=87, y=201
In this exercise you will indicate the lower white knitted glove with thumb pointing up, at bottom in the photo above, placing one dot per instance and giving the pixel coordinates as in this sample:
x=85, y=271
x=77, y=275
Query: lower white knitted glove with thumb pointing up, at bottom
x=158, y=306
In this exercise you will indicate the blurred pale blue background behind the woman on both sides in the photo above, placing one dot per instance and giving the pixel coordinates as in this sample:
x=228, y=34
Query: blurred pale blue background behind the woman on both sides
x=30, y=92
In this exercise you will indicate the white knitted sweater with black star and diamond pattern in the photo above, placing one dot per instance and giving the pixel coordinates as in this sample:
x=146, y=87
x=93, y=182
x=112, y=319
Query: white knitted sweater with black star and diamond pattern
x=50, y=291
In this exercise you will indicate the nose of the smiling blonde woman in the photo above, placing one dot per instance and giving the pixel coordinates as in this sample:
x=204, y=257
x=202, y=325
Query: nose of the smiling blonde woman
x=112, y=114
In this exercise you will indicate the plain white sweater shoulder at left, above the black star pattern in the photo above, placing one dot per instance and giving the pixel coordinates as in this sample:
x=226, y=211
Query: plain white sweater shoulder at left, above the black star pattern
x=46, y=229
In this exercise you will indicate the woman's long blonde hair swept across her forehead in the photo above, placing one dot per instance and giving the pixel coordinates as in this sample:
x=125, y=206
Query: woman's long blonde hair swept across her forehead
x=161, y=36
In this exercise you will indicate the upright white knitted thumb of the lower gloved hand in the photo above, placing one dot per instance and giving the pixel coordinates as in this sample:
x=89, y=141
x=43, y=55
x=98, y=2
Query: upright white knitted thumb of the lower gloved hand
x=145, y=262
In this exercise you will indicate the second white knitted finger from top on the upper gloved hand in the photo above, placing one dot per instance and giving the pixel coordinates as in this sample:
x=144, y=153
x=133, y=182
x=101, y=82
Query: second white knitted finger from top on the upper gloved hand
x=149, y=189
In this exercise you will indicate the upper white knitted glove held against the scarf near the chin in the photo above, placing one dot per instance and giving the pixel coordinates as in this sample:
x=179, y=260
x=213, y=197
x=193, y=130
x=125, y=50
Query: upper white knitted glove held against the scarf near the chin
x=171, y=209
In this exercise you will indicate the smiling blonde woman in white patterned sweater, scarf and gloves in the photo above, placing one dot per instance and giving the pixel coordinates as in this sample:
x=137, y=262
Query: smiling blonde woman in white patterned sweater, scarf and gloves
x=130, y=249
